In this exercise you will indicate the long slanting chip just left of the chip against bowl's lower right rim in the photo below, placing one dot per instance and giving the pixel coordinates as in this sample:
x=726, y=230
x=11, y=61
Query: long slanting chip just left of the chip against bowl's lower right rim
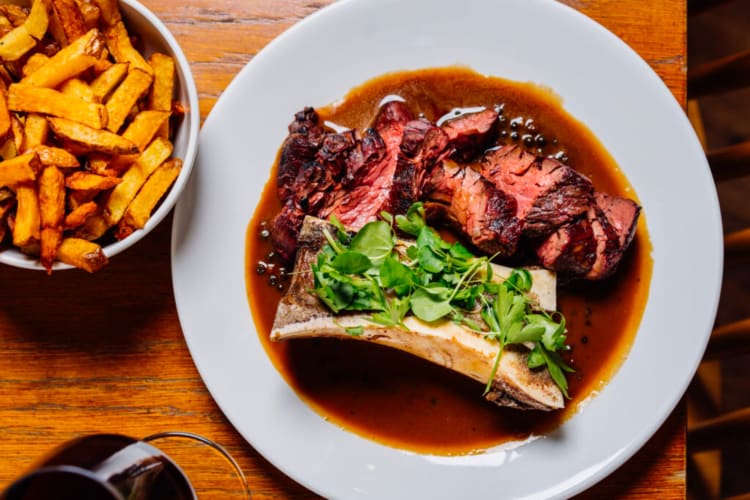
x=155, y=154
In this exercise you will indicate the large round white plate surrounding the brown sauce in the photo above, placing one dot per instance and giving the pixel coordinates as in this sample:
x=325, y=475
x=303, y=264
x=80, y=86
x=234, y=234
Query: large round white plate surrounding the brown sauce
x=603, y=83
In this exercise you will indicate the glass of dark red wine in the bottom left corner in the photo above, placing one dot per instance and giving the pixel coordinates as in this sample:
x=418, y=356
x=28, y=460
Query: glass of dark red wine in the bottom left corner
x=118, y=467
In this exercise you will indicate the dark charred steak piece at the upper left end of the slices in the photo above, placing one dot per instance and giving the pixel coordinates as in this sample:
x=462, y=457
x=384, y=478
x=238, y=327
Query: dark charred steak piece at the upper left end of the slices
x=300, y=147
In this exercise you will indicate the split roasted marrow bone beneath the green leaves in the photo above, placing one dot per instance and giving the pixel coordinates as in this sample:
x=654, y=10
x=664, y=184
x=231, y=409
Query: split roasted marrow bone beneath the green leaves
x=301, y=315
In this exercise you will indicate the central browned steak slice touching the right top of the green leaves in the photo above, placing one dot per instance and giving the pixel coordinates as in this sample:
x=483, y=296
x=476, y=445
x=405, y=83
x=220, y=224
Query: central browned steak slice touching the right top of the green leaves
x=471, y=204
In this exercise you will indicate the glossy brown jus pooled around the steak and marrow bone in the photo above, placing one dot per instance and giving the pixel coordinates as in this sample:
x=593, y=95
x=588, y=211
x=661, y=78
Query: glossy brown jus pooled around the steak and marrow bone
x=403, y=401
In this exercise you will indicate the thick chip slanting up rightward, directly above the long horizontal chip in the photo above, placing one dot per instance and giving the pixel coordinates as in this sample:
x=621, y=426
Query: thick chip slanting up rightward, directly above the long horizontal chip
x=68, y=62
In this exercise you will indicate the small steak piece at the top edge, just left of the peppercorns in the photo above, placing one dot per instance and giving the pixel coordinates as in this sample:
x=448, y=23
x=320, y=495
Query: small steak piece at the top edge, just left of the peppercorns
x=471, y=133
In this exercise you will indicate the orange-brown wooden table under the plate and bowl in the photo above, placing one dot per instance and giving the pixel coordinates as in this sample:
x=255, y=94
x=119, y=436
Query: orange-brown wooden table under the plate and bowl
x=105, y=353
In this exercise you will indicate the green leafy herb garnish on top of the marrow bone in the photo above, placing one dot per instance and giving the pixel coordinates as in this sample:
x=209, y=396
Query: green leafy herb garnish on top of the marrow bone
x=435, y=280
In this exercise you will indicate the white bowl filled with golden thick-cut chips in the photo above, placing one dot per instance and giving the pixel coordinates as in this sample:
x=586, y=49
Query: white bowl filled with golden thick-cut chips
x=99, y=124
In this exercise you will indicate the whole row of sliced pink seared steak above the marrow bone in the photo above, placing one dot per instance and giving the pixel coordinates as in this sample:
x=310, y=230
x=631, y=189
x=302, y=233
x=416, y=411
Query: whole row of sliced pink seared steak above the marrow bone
x=503, y=199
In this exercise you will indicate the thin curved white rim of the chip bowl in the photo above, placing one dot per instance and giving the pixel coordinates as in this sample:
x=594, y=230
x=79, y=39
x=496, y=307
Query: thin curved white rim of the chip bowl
x=13, y=257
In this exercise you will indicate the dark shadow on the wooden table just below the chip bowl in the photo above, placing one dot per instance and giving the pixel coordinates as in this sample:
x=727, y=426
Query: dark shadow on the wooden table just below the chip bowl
x=74, y=310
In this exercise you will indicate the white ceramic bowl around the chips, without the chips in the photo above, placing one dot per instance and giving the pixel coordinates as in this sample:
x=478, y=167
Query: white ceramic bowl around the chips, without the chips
x=154, y=37
